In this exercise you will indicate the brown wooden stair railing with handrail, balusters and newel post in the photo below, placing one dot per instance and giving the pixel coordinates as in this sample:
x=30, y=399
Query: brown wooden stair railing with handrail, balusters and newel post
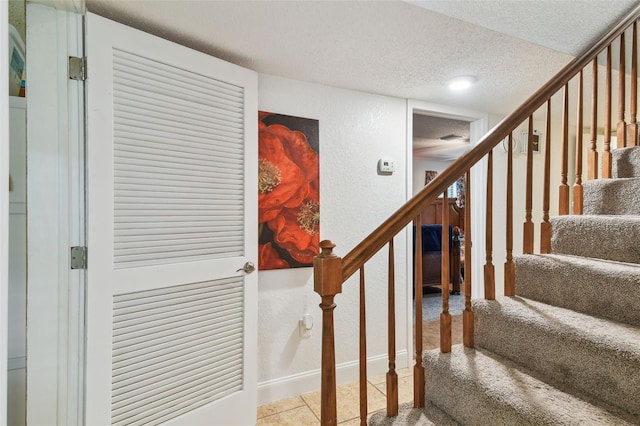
x=331, y=271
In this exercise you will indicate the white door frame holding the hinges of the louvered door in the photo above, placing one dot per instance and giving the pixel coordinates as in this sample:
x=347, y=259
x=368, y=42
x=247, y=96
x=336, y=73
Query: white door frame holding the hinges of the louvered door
x=55, y=179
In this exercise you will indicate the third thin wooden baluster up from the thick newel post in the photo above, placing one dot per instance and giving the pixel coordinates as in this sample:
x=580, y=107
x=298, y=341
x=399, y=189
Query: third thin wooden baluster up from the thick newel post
x=418, y=369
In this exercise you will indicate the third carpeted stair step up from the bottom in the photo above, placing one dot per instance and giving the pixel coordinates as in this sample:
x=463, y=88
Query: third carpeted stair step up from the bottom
x=572, y=351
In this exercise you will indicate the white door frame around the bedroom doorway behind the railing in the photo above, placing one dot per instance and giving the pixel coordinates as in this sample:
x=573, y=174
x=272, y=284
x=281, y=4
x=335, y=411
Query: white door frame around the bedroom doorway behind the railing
x=479, y=125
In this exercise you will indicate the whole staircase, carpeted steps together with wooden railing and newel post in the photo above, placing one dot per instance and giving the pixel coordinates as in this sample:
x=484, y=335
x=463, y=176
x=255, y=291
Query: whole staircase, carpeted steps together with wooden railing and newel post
x=563, y=346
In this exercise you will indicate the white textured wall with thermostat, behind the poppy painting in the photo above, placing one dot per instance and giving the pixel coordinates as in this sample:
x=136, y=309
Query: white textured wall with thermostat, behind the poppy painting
x=356, y=129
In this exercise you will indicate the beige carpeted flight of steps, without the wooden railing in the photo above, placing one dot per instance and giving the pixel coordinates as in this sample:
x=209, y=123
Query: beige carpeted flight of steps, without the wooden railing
x=566, y=349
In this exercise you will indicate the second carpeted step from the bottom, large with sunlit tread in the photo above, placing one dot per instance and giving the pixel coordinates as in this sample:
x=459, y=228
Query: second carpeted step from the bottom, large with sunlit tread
x=476, y=387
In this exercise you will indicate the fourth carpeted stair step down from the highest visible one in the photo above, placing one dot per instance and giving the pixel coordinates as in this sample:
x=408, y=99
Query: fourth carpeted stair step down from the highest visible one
x=596, y=287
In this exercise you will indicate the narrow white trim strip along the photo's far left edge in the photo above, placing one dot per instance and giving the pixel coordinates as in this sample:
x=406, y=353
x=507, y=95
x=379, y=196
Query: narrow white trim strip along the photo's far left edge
x=4, y=206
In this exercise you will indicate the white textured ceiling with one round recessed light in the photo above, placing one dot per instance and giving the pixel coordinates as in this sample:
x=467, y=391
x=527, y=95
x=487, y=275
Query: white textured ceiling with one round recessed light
x=406, y=49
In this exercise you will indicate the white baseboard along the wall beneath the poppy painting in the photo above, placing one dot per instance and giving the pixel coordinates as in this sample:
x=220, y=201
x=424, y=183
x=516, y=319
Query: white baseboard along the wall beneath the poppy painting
x=309, y=381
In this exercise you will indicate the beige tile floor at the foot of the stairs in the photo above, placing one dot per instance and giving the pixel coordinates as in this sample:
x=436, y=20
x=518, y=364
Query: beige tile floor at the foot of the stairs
x=304, y=410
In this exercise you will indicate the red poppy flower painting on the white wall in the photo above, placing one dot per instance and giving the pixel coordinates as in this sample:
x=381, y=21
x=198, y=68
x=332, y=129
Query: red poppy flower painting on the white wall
x=288, y=191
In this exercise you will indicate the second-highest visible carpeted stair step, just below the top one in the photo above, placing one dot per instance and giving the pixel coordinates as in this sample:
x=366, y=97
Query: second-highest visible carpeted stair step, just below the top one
x=612, y=196
